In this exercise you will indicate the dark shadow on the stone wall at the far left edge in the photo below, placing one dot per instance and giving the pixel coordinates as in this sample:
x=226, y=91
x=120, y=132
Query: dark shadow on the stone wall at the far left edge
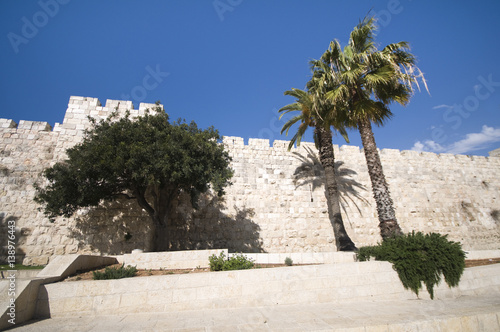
x=19, y=238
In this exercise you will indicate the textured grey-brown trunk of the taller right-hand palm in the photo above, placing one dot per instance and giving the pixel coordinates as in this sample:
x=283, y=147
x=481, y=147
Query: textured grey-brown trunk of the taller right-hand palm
x=385, y=207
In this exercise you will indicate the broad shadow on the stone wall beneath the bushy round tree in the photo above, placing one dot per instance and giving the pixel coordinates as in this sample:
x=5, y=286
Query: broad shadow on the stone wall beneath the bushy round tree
x=118, y=227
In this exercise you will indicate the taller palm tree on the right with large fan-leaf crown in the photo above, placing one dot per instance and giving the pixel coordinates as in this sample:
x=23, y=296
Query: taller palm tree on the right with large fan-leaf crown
x=366, y=80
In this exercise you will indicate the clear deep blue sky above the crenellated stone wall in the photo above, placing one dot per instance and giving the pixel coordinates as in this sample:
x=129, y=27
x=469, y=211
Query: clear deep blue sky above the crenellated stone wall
x=227, y=63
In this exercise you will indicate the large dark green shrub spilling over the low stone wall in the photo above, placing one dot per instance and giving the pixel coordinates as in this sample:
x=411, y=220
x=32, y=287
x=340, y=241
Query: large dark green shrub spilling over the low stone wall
x=420, y=258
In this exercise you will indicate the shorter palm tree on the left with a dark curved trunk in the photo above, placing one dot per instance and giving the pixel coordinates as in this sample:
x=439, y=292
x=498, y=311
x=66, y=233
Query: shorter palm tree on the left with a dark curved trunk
x=314, y=108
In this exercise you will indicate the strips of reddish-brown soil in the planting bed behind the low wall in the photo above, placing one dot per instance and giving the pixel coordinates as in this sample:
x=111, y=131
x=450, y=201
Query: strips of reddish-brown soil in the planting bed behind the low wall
x=143, y=273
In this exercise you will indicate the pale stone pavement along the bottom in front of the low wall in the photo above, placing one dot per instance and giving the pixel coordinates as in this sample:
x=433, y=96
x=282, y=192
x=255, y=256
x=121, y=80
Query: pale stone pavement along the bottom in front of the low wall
x=466, y=313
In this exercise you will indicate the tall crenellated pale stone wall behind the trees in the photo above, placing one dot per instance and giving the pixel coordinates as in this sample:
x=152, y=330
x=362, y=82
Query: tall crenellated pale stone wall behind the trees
x=276, y=203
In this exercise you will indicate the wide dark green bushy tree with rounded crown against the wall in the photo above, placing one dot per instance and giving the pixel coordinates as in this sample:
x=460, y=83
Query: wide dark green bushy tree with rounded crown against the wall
x=147, y=158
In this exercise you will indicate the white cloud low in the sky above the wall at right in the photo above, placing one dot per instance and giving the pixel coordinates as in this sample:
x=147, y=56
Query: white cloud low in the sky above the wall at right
x=471, y=142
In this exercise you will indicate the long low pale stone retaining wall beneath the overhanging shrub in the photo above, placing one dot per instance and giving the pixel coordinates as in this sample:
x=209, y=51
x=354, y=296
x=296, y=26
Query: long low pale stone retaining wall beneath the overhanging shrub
x=336, y=283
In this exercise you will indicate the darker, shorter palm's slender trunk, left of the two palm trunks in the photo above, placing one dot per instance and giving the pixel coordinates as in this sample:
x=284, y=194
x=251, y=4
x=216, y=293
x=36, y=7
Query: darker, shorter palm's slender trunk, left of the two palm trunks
x=327, y=158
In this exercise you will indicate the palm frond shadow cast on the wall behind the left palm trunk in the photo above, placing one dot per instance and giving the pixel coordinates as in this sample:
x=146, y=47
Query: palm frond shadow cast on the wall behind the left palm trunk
x=310, y=172
